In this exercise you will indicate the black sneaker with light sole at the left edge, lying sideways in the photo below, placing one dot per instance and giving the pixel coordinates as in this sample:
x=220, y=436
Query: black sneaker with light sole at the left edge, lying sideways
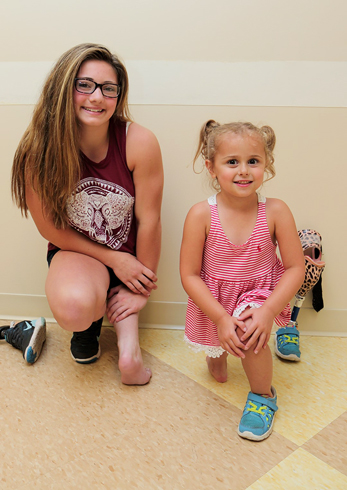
x=27, y=336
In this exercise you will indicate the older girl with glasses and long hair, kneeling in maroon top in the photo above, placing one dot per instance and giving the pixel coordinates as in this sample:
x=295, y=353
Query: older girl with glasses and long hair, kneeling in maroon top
x=92, y=180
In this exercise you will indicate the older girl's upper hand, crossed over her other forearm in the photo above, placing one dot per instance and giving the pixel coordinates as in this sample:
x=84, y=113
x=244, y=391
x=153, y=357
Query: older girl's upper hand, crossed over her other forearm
x=137, y=277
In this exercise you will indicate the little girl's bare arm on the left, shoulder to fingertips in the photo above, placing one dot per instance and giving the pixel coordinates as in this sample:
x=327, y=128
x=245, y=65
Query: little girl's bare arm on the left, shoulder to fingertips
x=195, y=231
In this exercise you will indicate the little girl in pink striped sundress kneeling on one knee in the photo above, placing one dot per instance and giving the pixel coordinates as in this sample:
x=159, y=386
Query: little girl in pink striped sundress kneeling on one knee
x=236, y=284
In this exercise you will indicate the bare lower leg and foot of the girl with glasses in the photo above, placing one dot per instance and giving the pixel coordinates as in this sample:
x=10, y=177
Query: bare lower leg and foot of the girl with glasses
x=130, y=361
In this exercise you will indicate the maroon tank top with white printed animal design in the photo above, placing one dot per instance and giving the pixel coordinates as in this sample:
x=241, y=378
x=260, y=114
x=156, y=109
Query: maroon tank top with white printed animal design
x=102, y=207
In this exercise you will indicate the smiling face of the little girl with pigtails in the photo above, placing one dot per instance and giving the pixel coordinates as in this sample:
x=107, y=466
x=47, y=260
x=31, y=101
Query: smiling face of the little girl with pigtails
x=239, y=163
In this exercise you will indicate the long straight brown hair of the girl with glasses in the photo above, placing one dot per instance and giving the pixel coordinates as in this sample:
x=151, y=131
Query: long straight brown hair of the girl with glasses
x=47, y=157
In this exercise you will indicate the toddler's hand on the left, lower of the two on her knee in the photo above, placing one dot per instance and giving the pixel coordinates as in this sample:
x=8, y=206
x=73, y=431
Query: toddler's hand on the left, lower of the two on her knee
x=228, y=337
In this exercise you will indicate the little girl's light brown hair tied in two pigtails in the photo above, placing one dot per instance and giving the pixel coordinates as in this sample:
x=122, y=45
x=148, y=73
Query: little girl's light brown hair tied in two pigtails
x=211, y=132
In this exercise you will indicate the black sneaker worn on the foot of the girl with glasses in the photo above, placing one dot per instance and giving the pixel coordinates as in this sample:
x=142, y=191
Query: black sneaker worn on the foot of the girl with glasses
x=85, y=347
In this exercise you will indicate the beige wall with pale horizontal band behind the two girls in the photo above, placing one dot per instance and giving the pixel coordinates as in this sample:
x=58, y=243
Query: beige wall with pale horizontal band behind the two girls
x=310, y=156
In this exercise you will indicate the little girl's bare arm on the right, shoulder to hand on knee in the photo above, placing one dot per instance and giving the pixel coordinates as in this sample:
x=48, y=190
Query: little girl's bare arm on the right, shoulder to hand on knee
x=282, y=228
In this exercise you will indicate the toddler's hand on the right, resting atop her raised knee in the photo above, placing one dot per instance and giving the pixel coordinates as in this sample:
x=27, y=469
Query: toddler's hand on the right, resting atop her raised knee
x=259, y=324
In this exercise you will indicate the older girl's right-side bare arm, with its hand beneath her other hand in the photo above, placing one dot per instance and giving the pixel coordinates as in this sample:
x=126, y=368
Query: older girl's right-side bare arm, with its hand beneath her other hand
x=144, y=160
